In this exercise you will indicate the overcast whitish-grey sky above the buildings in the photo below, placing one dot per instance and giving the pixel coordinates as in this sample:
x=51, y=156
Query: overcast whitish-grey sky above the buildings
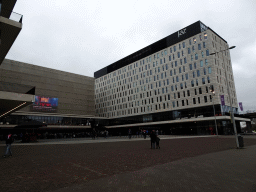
x=83, y=36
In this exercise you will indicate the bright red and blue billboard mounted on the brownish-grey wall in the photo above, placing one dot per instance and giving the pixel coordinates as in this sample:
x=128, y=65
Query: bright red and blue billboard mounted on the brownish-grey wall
x=44, y=104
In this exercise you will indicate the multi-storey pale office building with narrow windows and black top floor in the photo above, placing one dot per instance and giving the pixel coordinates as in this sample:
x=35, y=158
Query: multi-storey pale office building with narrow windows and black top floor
x=172, y=84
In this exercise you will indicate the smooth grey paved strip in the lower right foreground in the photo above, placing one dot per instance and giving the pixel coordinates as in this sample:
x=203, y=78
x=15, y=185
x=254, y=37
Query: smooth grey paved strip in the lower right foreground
x=229, y=171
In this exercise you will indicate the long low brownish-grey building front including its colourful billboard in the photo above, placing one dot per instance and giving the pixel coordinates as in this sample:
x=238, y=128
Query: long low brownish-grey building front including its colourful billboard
x=61, y=98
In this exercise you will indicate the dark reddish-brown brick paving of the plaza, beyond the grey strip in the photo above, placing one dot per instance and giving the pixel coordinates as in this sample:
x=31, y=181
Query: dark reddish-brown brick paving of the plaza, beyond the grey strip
x=40, y=168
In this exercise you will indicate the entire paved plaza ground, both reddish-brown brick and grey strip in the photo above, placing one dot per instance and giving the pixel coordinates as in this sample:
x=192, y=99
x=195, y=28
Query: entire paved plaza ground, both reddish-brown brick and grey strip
x=182, y=164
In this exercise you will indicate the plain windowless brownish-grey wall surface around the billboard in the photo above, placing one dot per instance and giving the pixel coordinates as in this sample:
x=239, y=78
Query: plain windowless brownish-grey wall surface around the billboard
x=75, y=92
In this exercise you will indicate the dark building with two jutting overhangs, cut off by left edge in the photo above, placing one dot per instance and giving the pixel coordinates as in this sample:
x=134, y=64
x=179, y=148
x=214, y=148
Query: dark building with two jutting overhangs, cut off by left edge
x=12, y=97
